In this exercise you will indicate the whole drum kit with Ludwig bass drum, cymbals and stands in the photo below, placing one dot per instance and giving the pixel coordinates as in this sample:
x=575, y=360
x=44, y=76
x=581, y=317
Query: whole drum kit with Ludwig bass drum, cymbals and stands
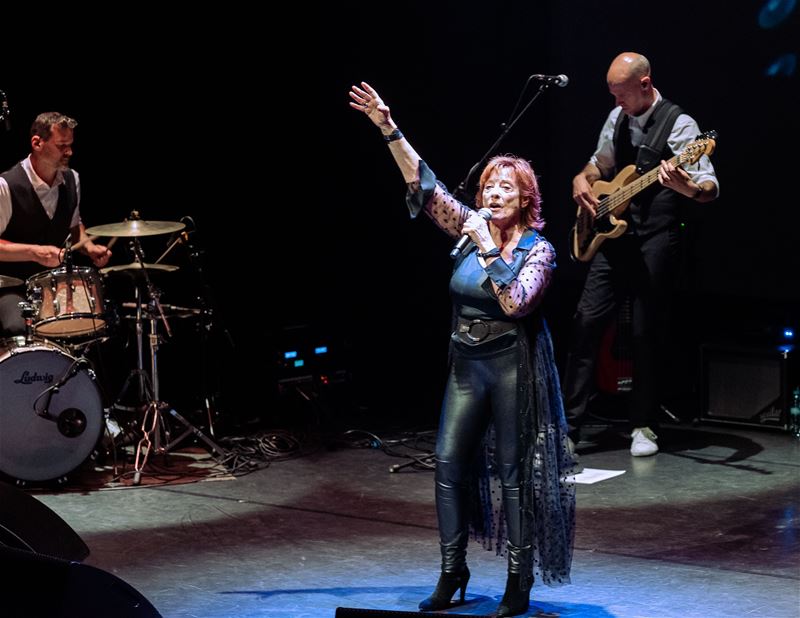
x=52, y=416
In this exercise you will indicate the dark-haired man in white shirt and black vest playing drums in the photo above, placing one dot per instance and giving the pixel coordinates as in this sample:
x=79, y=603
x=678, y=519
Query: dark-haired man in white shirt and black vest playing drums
x=39, y=207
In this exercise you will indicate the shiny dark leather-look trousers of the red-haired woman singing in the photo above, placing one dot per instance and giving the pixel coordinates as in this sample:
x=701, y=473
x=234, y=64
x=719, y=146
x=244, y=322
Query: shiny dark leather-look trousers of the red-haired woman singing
x=481, y=388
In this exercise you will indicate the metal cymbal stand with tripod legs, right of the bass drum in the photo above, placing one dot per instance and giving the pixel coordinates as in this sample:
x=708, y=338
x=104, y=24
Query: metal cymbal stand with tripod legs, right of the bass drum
x=152, y=422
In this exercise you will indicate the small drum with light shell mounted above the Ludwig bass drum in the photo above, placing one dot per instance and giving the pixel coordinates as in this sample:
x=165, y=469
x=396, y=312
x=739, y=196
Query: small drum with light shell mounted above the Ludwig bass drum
x=69, y=302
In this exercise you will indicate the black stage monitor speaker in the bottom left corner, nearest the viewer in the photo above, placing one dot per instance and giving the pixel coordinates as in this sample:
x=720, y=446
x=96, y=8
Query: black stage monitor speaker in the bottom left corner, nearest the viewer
x=36, y=586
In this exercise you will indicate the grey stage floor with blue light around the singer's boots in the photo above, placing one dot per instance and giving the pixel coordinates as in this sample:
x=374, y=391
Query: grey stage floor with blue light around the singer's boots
x=709, y=527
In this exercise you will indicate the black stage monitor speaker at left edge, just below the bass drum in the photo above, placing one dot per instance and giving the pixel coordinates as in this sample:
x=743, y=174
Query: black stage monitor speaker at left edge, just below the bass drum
x=26, y=523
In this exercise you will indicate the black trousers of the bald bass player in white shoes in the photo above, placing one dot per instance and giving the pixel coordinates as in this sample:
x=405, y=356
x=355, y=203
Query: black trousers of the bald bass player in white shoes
x=645, y=270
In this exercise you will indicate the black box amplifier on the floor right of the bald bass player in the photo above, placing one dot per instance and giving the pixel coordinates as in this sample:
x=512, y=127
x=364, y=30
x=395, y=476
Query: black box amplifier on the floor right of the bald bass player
x=746, y=386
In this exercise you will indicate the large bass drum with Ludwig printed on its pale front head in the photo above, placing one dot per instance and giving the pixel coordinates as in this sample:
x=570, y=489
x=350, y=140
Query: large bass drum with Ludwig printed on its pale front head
x=51, y=411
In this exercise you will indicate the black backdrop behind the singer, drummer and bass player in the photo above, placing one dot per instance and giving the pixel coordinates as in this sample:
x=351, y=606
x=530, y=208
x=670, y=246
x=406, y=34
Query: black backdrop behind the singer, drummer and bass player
x=242, y=123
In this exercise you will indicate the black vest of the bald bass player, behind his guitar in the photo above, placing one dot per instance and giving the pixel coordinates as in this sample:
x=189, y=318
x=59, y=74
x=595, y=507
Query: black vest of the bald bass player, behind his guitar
x=656, y=208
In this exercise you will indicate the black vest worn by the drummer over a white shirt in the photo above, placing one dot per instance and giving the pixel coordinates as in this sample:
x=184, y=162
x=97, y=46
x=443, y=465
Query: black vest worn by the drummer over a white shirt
x=29, y=222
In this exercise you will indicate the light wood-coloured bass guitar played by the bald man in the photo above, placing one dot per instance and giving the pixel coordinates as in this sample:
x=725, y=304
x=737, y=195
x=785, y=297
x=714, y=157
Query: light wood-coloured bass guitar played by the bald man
x=589, y=232
